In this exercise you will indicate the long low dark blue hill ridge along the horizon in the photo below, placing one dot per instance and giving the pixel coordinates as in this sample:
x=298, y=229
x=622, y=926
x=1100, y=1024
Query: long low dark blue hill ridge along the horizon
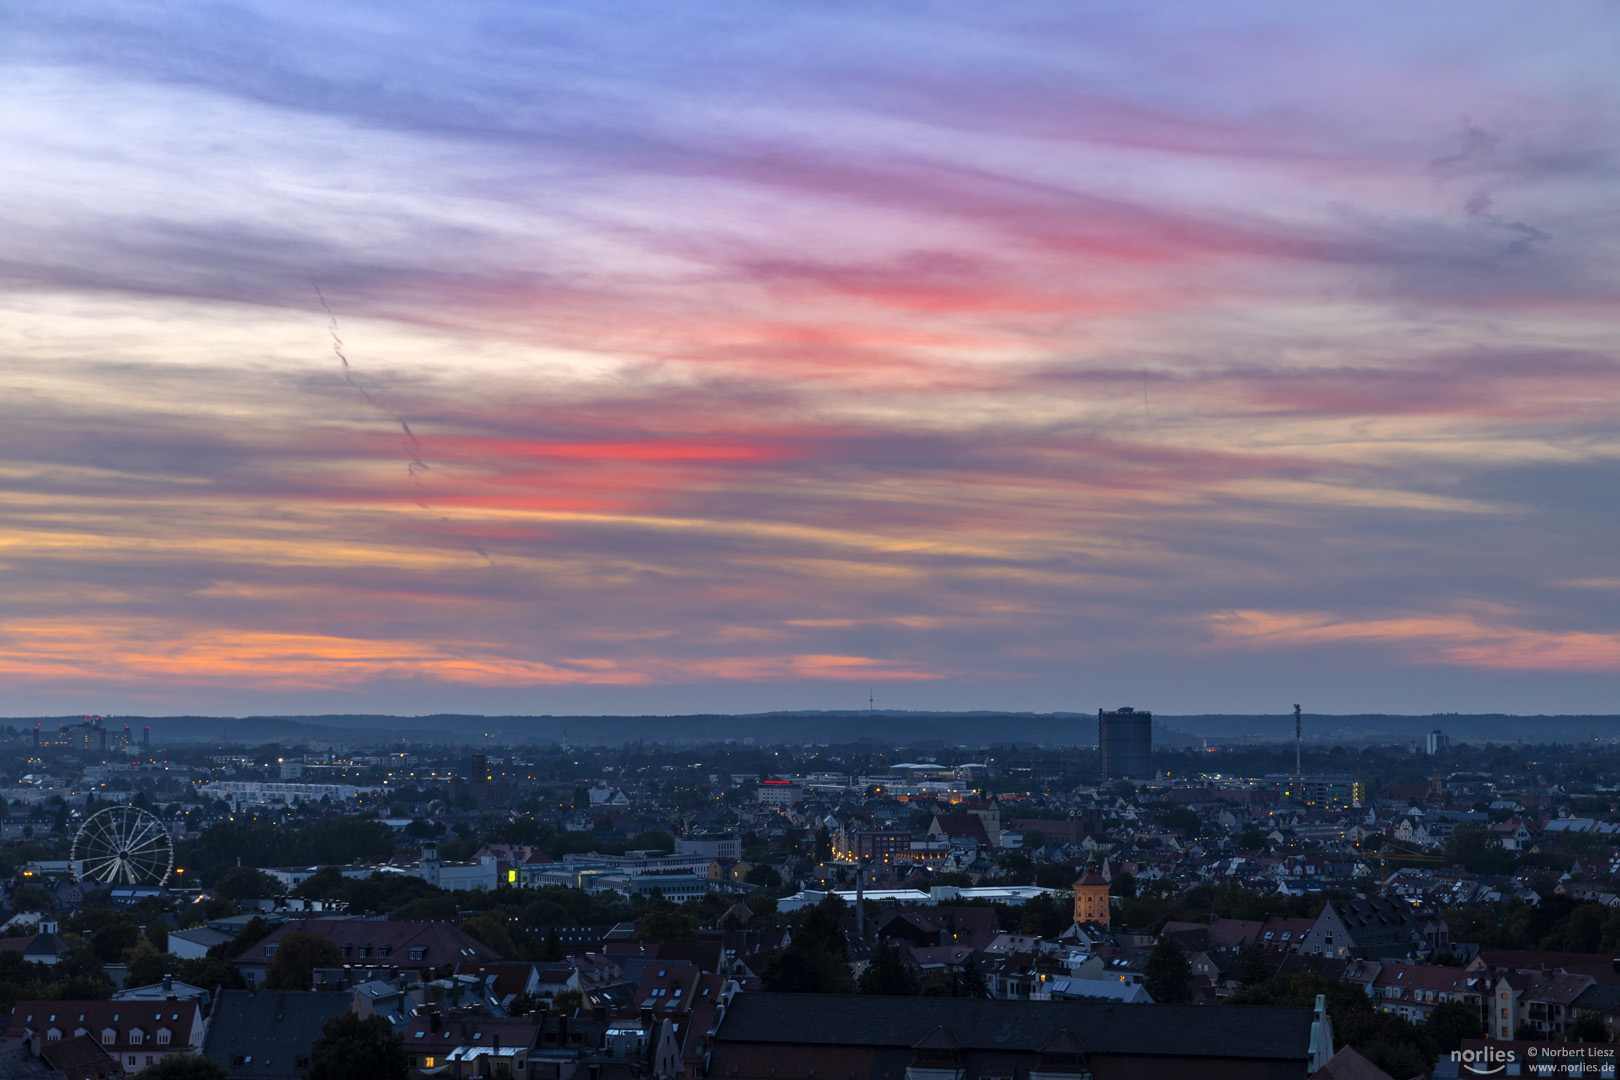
x=895, y=728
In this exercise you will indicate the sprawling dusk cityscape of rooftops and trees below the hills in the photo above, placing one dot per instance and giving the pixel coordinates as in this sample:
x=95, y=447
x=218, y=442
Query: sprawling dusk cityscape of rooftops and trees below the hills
x=683, y=912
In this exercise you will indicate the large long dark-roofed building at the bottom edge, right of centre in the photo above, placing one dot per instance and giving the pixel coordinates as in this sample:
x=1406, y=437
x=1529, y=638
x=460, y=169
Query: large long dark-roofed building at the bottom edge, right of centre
x=801, y=1037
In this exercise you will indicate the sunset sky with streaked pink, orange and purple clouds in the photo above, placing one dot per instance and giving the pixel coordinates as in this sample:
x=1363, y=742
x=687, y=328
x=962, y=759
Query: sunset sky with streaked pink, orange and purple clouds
x=733, y=357
